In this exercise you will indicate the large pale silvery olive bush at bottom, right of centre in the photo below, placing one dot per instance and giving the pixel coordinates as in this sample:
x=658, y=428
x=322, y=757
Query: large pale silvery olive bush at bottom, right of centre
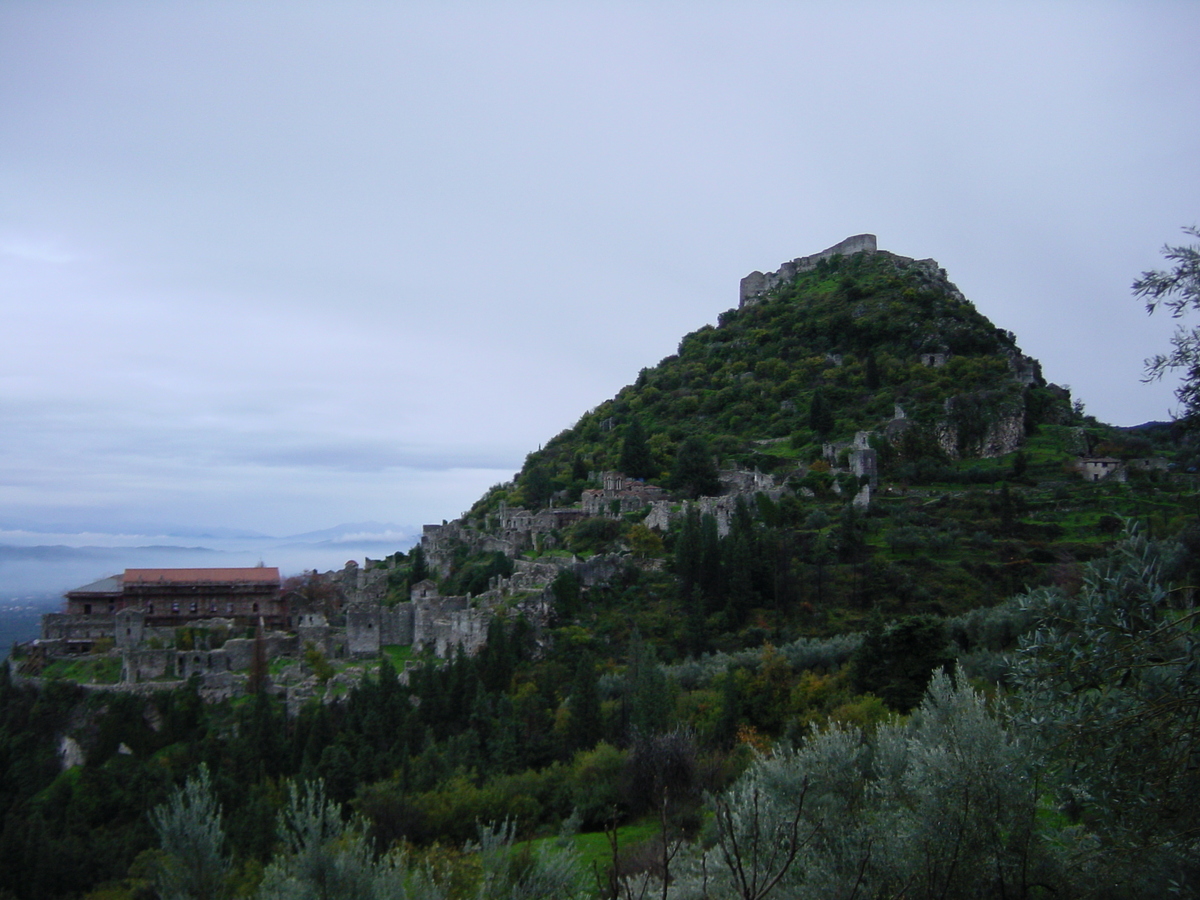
x=941, y=806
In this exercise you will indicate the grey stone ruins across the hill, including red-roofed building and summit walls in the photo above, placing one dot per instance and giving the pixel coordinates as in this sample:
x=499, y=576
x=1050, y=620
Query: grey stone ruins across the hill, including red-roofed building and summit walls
x=167, y=626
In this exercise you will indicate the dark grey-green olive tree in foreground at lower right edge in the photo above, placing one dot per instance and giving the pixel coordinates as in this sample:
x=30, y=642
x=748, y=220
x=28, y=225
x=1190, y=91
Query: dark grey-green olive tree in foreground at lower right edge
x=1111, y=681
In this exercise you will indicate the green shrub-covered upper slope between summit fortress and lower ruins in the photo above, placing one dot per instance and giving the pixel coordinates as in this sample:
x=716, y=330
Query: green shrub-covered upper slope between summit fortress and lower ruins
x=849, y=335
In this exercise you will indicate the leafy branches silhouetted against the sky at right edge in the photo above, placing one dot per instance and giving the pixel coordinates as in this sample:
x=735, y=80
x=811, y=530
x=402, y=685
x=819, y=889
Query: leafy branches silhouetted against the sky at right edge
x=1178, y=290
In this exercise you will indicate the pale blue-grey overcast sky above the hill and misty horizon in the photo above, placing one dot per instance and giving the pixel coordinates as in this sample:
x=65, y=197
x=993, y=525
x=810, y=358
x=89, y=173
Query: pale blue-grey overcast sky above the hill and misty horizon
x=280, y=266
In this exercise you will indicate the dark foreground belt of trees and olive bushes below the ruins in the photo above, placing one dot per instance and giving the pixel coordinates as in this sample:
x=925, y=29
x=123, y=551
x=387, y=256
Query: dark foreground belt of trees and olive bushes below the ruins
x=1077, y=779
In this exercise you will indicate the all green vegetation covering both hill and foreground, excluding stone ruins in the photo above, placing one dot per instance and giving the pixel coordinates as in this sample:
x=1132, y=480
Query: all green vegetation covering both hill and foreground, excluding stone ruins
x=758, y=715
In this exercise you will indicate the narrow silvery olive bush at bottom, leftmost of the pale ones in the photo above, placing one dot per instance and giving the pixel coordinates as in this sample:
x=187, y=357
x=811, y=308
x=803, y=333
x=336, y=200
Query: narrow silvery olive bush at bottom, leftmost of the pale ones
x=193, y=839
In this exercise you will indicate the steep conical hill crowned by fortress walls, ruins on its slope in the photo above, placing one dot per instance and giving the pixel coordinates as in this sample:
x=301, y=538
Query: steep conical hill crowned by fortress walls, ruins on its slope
x=867, y=445
